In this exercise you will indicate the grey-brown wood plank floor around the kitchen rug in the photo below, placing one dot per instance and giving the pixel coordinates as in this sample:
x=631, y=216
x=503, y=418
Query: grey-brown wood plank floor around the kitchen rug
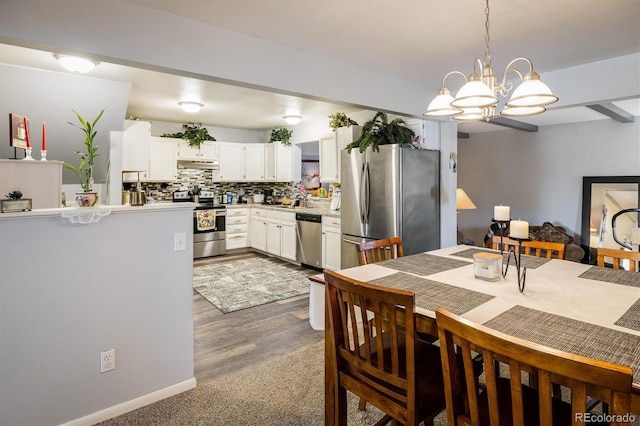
x=227, y=343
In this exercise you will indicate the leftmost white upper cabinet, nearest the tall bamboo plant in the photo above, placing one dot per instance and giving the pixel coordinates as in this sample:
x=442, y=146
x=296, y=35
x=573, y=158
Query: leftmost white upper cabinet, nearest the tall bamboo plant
x=135, y=146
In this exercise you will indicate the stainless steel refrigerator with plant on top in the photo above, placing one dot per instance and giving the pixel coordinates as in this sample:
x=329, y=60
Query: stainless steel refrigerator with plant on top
x=395, y=191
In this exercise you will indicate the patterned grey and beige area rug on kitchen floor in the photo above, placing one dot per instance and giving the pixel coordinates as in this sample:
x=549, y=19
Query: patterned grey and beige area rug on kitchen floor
x=240, y=284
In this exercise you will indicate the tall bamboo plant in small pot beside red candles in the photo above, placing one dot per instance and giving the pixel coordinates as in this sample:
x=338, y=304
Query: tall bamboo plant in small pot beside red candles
x=84, y=171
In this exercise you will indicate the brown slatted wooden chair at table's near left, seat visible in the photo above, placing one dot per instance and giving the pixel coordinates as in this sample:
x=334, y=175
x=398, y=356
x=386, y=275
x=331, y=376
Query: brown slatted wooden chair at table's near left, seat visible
x=391, y=369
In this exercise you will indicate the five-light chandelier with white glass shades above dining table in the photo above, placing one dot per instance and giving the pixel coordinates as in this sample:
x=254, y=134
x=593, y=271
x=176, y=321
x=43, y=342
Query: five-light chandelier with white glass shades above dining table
x=477, y=98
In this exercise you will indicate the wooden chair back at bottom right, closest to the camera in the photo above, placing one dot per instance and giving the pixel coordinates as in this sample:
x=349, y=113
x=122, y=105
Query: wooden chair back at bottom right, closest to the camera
x=504, y=400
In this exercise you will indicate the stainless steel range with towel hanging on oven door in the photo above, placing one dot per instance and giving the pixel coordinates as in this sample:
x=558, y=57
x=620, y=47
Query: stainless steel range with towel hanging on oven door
x=209, y=223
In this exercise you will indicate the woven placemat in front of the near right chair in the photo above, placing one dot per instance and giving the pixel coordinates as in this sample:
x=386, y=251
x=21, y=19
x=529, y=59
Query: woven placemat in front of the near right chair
x=569, y=335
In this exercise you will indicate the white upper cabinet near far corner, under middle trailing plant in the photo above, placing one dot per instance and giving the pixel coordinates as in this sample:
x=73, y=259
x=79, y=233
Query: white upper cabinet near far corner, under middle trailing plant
x=283, y=163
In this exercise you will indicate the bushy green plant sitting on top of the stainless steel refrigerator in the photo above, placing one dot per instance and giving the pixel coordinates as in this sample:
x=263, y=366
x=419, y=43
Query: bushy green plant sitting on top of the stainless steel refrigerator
x=380, y=131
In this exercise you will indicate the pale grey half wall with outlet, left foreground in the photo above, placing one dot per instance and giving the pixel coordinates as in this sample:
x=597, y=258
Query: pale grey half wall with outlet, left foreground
x=70, y=291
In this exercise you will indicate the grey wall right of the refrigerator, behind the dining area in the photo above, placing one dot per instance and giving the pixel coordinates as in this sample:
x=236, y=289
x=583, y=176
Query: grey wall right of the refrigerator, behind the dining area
x=540, y=174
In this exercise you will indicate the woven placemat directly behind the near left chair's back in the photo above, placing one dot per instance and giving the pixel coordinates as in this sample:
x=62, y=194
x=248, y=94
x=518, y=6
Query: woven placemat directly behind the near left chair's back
x=433, y=294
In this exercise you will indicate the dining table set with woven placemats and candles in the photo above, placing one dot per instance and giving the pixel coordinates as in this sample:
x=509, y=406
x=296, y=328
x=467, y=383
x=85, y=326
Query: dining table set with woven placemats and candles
x=569, y=306
